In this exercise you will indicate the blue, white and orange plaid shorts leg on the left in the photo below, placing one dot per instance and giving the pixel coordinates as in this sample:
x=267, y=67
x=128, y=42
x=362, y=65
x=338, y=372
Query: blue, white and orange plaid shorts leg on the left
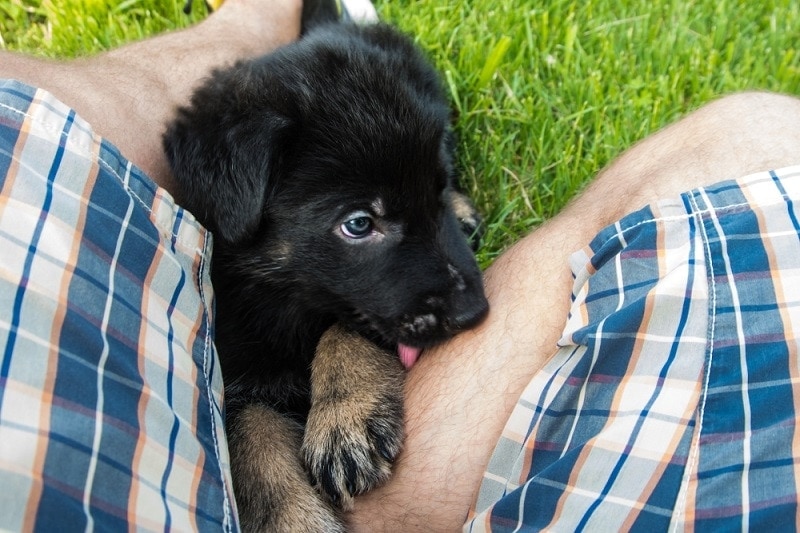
x=110, y=390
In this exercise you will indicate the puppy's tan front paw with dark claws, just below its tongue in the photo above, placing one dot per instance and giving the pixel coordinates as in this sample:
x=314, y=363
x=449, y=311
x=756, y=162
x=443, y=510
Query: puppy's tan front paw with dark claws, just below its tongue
x=355, y=427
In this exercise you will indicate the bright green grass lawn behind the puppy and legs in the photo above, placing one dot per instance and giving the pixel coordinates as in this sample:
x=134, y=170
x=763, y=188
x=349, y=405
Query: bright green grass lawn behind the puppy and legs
x=545, y=93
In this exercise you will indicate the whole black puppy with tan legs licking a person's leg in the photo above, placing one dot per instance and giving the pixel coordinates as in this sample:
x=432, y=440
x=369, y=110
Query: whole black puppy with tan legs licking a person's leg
x=325, y=172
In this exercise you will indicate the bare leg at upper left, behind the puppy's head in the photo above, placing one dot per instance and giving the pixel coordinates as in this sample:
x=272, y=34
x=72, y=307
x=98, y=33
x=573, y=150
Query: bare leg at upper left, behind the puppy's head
x=128, y=94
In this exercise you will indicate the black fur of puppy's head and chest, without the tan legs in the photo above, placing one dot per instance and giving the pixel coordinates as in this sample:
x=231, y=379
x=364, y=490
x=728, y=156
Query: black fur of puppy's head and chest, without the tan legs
x=276, y=156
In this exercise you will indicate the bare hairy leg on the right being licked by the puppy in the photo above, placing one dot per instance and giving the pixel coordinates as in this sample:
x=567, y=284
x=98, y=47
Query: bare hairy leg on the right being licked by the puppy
x=459, y=396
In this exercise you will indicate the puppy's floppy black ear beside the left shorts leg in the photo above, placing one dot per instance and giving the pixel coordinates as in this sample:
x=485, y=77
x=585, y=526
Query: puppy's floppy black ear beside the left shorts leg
x=222, y=162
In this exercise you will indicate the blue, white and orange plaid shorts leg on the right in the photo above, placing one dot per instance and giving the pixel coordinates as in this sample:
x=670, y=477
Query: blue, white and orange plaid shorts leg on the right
x=673, y=398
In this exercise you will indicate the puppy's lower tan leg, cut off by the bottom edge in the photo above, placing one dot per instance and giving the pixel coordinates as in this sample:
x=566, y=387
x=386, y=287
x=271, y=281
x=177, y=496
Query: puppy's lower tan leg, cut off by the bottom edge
x=272, y=489
